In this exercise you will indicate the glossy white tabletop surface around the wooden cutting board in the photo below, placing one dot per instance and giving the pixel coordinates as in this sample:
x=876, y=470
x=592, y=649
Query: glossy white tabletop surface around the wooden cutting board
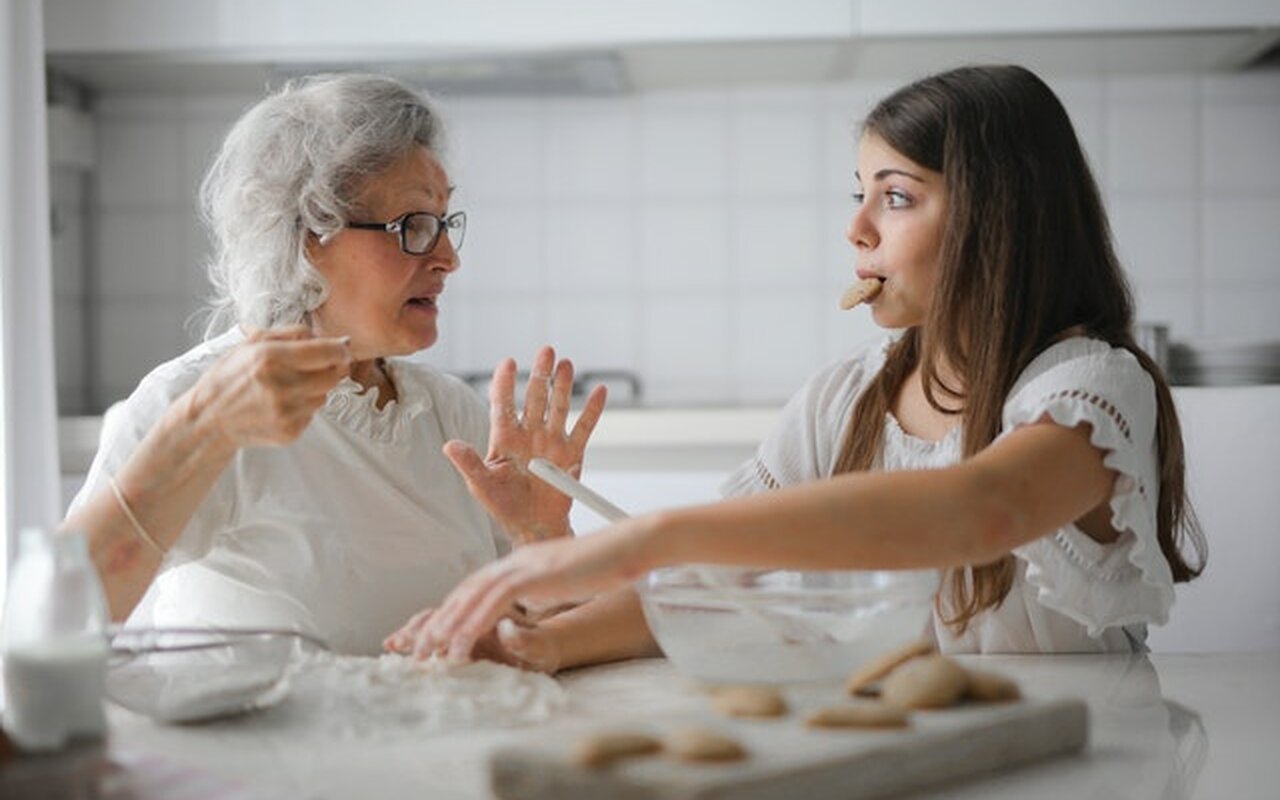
x=1162, y=726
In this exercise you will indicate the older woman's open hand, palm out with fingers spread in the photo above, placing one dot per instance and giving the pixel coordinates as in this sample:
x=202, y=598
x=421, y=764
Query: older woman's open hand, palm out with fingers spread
x=528, y=509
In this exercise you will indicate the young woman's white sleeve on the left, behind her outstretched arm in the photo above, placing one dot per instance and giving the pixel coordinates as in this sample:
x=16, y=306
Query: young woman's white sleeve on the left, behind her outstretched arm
x=802, y=447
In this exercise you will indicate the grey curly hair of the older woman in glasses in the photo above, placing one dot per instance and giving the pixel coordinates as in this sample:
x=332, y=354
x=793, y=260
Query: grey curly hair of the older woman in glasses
x=292, y=166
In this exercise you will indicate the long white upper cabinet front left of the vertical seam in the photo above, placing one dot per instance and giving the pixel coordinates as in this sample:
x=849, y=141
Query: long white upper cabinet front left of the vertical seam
x=237, y=30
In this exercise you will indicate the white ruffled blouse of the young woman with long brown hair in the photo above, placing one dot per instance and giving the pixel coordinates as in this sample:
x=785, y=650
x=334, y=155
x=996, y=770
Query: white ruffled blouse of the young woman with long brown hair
x=1071, y=593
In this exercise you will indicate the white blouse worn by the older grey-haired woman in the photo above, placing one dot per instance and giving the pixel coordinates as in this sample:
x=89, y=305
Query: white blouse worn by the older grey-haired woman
x=345, y=533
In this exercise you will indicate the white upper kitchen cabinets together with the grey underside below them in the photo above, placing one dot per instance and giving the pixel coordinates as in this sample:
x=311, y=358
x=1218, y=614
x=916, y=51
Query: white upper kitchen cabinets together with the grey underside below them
x=566, y=47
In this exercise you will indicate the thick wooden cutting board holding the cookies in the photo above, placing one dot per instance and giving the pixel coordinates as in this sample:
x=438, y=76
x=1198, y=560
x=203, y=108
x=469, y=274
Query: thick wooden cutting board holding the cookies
x=788, y=760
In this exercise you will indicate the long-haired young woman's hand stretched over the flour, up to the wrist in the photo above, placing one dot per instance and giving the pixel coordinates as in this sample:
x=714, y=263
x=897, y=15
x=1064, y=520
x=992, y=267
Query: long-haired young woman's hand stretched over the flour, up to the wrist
x=543, y=573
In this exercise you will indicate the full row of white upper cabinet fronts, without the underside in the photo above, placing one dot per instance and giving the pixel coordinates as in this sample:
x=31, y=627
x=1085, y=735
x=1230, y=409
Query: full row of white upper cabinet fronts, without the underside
x=237, y=29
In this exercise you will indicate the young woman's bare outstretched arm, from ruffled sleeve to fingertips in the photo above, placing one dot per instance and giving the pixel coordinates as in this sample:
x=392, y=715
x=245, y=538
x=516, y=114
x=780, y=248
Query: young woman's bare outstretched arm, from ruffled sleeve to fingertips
x=1026, y=486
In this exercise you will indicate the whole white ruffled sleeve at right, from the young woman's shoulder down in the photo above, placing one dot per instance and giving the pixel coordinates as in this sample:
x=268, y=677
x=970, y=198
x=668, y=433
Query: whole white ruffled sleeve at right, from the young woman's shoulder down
x=1100, y=586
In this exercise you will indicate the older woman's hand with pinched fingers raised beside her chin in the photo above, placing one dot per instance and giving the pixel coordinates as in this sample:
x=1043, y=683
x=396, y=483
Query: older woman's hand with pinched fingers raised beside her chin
x=266, y=390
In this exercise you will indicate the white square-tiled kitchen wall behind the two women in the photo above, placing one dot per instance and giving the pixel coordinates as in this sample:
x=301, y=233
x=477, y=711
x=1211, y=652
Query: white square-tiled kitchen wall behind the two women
x=696, y=239
